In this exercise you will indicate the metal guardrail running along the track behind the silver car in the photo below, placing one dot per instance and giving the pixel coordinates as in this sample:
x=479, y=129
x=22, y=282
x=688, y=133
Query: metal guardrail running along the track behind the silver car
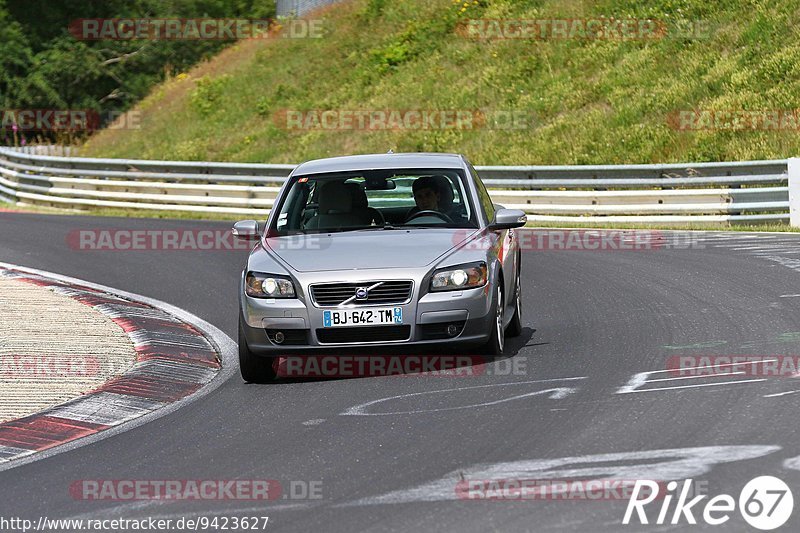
x=705, y=192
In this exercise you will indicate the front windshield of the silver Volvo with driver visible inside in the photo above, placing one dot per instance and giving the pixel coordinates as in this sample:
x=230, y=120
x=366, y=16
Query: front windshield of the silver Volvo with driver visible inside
x=376, y=199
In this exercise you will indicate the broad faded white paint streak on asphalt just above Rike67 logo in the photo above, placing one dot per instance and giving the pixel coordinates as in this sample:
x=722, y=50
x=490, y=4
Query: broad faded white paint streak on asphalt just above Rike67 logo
x=677, y=463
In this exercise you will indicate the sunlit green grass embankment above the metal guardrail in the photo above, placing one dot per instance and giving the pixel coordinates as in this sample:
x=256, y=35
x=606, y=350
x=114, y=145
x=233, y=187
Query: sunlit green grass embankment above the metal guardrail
x=593, y=101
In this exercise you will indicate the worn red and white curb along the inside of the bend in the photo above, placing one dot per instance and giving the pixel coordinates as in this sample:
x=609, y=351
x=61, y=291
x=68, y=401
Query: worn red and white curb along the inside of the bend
x=179, y=357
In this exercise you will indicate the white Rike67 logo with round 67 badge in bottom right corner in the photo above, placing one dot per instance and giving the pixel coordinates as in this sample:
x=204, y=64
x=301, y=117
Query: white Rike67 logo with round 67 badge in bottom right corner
x=766, y=503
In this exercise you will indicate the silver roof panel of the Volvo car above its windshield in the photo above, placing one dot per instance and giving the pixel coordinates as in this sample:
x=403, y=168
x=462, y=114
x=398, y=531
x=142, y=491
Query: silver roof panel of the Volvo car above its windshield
x=380, y=162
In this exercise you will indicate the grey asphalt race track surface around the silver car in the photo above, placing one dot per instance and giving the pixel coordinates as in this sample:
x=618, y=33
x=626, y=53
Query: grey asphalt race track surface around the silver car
x=593, y=321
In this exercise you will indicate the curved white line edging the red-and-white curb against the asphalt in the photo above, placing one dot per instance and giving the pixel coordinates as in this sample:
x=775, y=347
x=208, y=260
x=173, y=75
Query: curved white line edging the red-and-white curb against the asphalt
x=225, y=346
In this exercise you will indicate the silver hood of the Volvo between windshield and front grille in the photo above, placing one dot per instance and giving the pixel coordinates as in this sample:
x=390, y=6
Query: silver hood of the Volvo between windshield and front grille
x=396, y=248
